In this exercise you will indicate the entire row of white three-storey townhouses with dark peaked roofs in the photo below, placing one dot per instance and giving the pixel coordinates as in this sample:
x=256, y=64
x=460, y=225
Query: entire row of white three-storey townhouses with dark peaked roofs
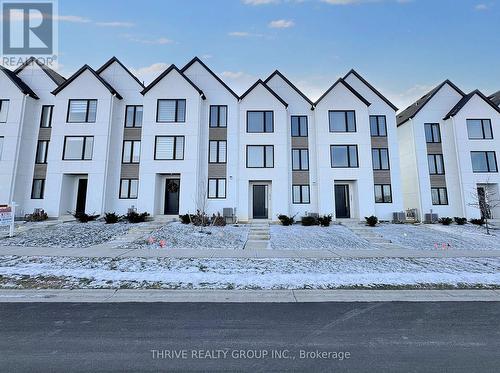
x=100, y=141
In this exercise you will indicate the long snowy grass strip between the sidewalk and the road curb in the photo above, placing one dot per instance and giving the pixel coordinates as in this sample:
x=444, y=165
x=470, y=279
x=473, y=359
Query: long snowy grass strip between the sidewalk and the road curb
x=35, y=272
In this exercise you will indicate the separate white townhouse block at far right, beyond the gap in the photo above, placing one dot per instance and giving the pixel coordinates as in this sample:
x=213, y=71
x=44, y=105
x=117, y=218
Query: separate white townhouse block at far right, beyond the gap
x=449, y=142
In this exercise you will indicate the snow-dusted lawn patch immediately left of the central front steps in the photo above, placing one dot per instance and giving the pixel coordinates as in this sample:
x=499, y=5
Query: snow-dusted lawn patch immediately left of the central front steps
x=178, y=235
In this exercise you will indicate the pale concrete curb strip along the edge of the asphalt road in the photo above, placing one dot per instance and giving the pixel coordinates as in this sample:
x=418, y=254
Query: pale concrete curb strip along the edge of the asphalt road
x=246, y=296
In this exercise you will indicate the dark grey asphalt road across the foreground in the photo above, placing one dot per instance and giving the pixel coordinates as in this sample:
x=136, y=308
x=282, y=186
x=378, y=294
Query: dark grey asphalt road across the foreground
x=142, y=337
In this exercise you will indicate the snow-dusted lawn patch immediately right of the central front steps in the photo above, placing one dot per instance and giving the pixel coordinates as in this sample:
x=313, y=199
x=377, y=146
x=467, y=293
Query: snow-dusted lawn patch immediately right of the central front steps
x=297, y=237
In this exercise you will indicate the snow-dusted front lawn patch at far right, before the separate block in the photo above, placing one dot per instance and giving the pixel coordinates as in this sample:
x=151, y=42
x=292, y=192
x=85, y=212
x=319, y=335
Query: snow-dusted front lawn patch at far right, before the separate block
x=427, y=236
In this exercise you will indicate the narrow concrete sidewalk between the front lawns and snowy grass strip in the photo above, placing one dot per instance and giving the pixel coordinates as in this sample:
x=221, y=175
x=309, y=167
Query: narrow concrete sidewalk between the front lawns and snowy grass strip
x=114, y=252
